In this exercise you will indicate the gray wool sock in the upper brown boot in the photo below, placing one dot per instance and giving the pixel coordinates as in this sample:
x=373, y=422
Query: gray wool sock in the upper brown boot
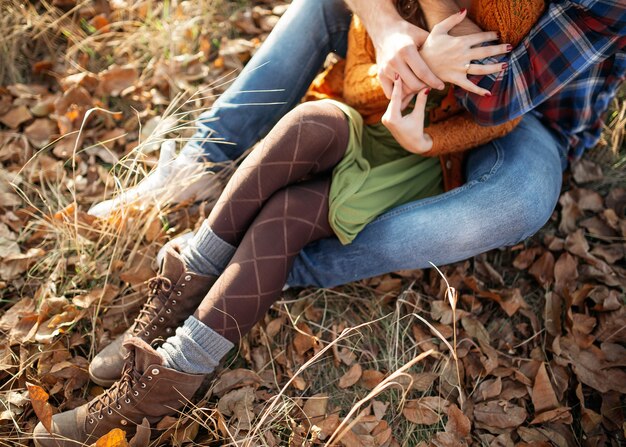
x=206, y=253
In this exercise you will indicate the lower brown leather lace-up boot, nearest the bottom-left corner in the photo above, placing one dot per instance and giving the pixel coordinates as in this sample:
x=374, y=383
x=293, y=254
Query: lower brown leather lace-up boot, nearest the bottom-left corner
x=147, y=389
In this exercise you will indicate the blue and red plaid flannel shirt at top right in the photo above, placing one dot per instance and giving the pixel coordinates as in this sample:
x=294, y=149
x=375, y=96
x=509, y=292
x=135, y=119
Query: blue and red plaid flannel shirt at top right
x=566, y=71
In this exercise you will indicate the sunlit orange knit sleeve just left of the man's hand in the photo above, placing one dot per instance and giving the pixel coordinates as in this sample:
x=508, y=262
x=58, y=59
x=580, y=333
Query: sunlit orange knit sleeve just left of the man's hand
x=362, y=88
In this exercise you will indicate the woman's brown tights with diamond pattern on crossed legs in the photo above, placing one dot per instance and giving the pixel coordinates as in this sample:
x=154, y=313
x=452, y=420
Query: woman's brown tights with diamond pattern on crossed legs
x=274, y=204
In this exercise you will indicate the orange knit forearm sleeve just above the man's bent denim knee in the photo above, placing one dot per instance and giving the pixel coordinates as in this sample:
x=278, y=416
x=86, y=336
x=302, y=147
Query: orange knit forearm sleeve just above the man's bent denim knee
x=461, y=132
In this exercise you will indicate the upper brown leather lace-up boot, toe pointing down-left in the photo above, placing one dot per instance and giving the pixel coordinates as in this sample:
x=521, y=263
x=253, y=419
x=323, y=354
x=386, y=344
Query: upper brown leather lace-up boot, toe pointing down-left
x=174, y=295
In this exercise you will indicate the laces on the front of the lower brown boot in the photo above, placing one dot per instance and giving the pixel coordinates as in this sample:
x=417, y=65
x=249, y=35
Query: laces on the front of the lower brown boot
x=121, y=390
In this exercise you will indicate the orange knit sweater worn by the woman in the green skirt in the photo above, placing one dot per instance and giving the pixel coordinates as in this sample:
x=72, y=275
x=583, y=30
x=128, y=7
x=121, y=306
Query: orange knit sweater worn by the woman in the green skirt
x=452, y=128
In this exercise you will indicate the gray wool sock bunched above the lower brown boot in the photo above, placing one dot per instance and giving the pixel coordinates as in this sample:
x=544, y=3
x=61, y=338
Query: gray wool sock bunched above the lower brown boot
x=195, y=349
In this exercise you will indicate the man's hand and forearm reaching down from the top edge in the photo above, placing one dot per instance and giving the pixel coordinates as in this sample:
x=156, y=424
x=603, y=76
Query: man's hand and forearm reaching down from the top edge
x=396, y=42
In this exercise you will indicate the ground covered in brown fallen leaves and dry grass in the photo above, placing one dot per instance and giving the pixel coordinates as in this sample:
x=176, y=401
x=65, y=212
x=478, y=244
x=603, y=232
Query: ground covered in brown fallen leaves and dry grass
x=524, y=346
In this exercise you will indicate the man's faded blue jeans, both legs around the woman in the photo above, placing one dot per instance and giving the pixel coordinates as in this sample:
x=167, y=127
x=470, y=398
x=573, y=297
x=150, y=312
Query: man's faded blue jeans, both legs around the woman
x=513, y=183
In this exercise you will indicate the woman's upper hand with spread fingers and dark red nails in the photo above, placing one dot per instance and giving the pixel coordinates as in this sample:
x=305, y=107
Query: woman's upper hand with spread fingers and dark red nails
x=450, y=57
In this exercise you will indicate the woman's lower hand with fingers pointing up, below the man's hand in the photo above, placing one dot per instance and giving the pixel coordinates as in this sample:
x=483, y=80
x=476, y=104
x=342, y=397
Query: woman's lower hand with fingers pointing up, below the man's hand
x=408, y=130
